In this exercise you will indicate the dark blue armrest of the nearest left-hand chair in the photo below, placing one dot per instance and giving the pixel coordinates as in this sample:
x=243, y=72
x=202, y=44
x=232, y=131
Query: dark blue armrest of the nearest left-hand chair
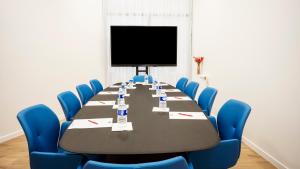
x=46, y=160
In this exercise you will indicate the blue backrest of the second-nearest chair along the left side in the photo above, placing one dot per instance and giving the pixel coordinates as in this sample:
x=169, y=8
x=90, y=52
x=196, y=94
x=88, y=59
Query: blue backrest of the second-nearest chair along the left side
x=69, y=103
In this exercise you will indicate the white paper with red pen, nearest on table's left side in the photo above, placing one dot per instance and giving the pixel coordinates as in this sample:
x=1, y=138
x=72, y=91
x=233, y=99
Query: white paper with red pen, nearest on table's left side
x=91, y=123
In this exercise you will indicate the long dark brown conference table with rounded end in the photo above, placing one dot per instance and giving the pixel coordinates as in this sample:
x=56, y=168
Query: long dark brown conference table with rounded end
x=153, y=132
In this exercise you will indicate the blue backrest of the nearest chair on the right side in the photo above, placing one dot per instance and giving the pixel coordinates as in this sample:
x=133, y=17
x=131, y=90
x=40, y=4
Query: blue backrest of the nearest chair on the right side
x=232, y=118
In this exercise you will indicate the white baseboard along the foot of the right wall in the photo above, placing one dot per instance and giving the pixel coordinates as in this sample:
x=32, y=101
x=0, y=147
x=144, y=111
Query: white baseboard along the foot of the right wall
x=264, y=154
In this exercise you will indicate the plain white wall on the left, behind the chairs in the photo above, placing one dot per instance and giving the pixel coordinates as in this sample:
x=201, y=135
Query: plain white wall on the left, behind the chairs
x=46, y=47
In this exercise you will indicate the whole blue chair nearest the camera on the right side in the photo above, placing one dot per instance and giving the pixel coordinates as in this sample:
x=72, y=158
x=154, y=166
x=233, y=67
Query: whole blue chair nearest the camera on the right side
x=230, y=123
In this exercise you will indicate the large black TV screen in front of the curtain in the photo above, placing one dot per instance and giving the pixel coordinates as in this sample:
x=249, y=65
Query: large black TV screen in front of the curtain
x=143, y=45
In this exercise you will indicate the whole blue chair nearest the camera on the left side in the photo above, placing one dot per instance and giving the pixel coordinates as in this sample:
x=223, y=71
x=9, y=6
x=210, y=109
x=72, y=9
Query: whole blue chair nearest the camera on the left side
x=42, y=130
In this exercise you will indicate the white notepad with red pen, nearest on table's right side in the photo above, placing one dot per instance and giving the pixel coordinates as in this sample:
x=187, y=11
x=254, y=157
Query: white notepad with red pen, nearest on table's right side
x=187, y=115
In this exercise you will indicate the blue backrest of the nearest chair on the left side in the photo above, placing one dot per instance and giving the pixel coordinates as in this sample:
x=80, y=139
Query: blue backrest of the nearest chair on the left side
x=41, y=127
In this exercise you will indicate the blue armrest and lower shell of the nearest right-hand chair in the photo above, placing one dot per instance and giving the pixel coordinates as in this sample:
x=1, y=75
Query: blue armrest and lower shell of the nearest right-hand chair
x=224, y=155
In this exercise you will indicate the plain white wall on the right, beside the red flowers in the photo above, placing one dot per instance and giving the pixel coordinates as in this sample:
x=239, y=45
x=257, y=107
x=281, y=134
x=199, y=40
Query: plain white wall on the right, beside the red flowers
x=252, y=53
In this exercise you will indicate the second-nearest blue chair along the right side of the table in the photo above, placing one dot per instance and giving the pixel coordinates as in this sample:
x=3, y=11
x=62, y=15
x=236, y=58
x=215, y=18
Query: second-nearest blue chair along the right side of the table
x=206, y=99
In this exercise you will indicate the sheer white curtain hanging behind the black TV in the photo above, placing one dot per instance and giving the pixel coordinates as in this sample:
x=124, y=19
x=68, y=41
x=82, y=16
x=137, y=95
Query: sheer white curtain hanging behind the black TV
x=151, y=13
